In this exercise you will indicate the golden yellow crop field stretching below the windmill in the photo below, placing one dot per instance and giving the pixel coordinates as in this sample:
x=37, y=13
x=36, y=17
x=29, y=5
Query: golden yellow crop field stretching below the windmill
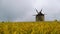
x=30, y=28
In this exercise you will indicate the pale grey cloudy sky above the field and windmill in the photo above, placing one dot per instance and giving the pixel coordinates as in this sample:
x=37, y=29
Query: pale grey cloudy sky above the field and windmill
x=23, y=10
